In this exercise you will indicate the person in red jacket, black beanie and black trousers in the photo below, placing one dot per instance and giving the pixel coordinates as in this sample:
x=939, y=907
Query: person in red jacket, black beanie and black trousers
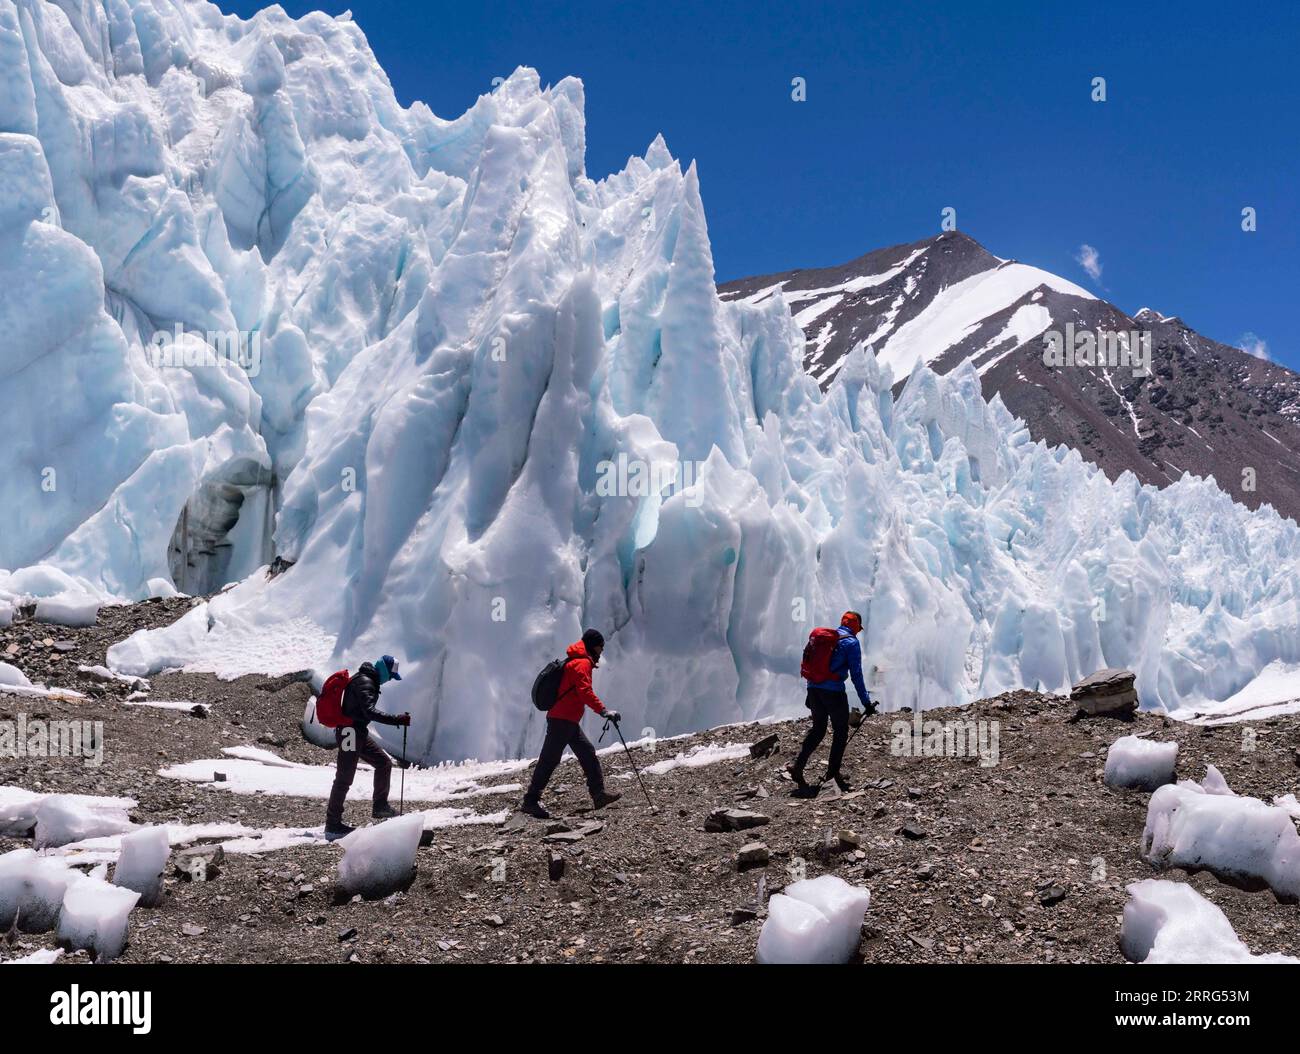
x=574, y=697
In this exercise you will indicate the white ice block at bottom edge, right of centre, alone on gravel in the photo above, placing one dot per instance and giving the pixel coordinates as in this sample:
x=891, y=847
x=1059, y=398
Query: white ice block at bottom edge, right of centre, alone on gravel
x=814, y=921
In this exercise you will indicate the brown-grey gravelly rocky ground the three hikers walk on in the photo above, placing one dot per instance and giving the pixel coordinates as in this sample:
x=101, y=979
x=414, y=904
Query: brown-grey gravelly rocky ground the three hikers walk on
x=1025, y=861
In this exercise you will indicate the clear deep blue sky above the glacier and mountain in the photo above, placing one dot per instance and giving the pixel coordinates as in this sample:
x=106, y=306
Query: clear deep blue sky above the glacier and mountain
x=916, y=107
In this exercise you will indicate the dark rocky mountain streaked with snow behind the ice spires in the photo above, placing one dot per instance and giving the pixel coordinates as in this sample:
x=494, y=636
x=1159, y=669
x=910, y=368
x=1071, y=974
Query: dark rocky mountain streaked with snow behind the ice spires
x=1202, y=407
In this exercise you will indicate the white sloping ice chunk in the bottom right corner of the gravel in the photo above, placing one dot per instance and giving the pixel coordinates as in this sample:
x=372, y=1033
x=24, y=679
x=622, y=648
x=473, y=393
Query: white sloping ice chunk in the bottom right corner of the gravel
x=1172, y=923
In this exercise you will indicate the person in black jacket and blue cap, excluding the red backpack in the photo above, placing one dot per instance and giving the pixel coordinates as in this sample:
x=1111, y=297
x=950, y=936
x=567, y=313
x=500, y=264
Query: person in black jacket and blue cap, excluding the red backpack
x=361, y=700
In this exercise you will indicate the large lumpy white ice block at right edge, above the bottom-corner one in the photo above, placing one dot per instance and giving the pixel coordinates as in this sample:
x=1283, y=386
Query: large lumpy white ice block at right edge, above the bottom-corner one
x=1240, y=840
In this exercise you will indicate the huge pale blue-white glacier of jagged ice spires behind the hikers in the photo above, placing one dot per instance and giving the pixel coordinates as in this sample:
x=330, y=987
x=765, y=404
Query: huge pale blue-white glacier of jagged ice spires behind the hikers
x=417, y=345
